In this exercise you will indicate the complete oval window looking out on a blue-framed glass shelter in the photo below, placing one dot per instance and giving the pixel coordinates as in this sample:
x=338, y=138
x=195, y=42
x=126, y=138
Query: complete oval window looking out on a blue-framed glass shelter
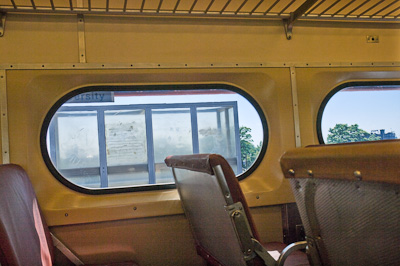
x=102, y=138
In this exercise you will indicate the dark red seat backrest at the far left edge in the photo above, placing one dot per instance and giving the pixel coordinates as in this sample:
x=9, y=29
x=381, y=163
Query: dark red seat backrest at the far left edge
x=24, y=235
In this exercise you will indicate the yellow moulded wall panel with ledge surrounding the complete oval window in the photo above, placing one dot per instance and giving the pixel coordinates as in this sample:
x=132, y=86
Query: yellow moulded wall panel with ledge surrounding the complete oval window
x=39, y=89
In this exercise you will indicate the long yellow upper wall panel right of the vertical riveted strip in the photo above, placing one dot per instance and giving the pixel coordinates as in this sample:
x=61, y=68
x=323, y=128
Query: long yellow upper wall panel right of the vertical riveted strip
x=134, y=40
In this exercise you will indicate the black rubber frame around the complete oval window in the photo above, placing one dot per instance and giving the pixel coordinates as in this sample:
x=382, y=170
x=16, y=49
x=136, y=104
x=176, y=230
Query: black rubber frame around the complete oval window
x=151, y=187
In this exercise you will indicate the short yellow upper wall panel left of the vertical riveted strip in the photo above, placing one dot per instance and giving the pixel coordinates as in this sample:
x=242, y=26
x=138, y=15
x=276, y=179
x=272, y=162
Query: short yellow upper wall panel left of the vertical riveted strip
x=43, y=39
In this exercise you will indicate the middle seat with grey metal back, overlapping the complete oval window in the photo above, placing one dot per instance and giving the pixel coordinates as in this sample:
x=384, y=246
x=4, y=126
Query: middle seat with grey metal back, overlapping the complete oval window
x=219, y=216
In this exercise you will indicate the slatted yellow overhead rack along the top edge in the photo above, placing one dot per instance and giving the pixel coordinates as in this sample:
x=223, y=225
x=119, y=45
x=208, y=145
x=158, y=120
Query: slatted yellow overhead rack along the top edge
x=370, y=10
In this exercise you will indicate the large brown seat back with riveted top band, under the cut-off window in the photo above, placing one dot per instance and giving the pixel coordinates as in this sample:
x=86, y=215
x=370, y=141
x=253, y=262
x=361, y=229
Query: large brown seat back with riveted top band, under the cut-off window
x=348, y=198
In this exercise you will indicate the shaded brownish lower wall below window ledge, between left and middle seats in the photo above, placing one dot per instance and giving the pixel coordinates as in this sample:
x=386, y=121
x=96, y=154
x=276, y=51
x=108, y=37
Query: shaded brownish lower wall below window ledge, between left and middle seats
x=151, y=241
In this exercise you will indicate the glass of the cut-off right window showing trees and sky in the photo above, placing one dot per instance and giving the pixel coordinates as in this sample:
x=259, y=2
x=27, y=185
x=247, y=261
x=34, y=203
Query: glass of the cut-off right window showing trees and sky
x=361, y=113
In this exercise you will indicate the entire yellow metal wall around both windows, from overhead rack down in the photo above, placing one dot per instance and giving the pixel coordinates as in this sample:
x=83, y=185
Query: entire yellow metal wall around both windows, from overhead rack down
x=180, y=51
